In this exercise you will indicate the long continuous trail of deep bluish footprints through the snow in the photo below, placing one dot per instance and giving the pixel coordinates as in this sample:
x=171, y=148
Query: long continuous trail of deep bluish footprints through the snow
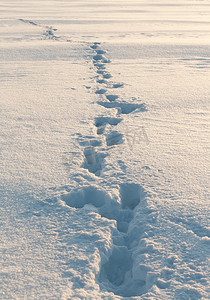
x=116, y=273
